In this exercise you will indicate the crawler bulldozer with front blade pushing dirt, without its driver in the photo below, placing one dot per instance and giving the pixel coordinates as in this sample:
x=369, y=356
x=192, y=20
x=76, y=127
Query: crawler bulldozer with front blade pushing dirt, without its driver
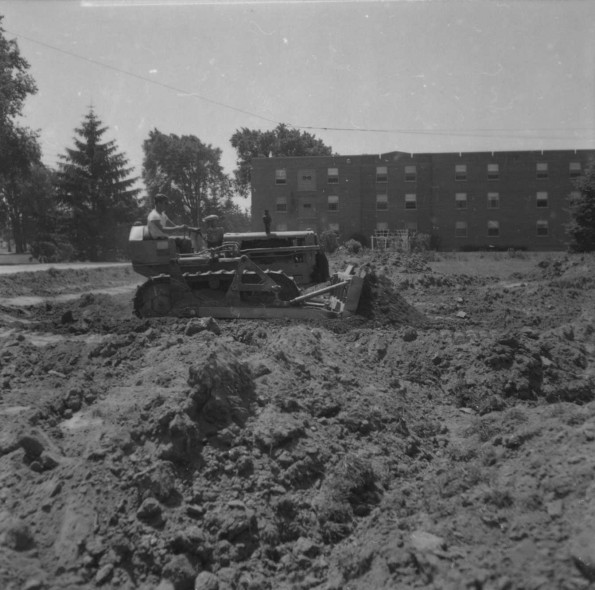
x=251, y=275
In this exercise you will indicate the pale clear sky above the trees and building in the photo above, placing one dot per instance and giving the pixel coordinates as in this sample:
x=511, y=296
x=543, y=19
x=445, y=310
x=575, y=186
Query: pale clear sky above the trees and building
x=366, y=77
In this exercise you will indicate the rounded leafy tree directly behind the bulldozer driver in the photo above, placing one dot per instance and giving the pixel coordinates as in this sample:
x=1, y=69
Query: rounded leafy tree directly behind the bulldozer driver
x=189, y=172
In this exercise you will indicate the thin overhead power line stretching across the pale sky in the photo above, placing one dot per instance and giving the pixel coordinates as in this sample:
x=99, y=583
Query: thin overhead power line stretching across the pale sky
x=493, y=133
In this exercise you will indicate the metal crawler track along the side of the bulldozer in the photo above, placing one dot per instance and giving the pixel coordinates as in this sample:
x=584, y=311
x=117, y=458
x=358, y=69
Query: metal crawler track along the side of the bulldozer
x=165, y=295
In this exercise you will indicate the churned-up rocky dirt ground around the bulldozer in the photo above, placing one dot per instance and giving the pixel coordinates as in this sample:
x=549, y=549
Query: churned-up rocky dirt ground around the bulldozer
x=444, y=439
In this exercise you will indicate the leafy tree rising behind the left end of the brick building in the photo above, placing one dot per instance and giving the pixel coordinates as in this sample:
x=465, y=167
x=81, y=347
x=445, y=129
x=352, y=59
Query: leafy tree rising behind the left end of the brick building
x=281, y=141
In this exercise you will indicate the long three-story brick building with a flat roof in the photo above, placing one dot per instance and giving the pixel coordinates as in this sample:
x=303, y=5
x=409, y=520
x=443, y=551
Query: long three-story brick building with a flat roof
x=463, y=200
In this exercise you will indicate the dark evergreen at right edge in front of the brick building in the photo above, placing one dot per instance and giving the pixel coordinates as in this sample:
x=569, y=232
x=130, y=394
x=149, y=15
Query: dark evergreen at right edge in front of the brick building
x=581, y=227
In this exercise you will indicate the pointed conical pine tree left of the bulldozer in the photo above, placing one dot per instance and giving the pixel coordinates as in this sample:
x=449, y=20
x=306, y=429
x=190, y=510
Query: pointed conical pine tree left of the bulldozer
x=94, y=184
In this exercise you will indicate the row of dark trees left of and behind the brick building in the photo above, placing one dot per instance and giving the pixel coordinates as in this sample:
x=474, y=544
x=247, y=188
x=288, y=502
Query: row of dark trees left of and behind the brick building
x=83, y=209
